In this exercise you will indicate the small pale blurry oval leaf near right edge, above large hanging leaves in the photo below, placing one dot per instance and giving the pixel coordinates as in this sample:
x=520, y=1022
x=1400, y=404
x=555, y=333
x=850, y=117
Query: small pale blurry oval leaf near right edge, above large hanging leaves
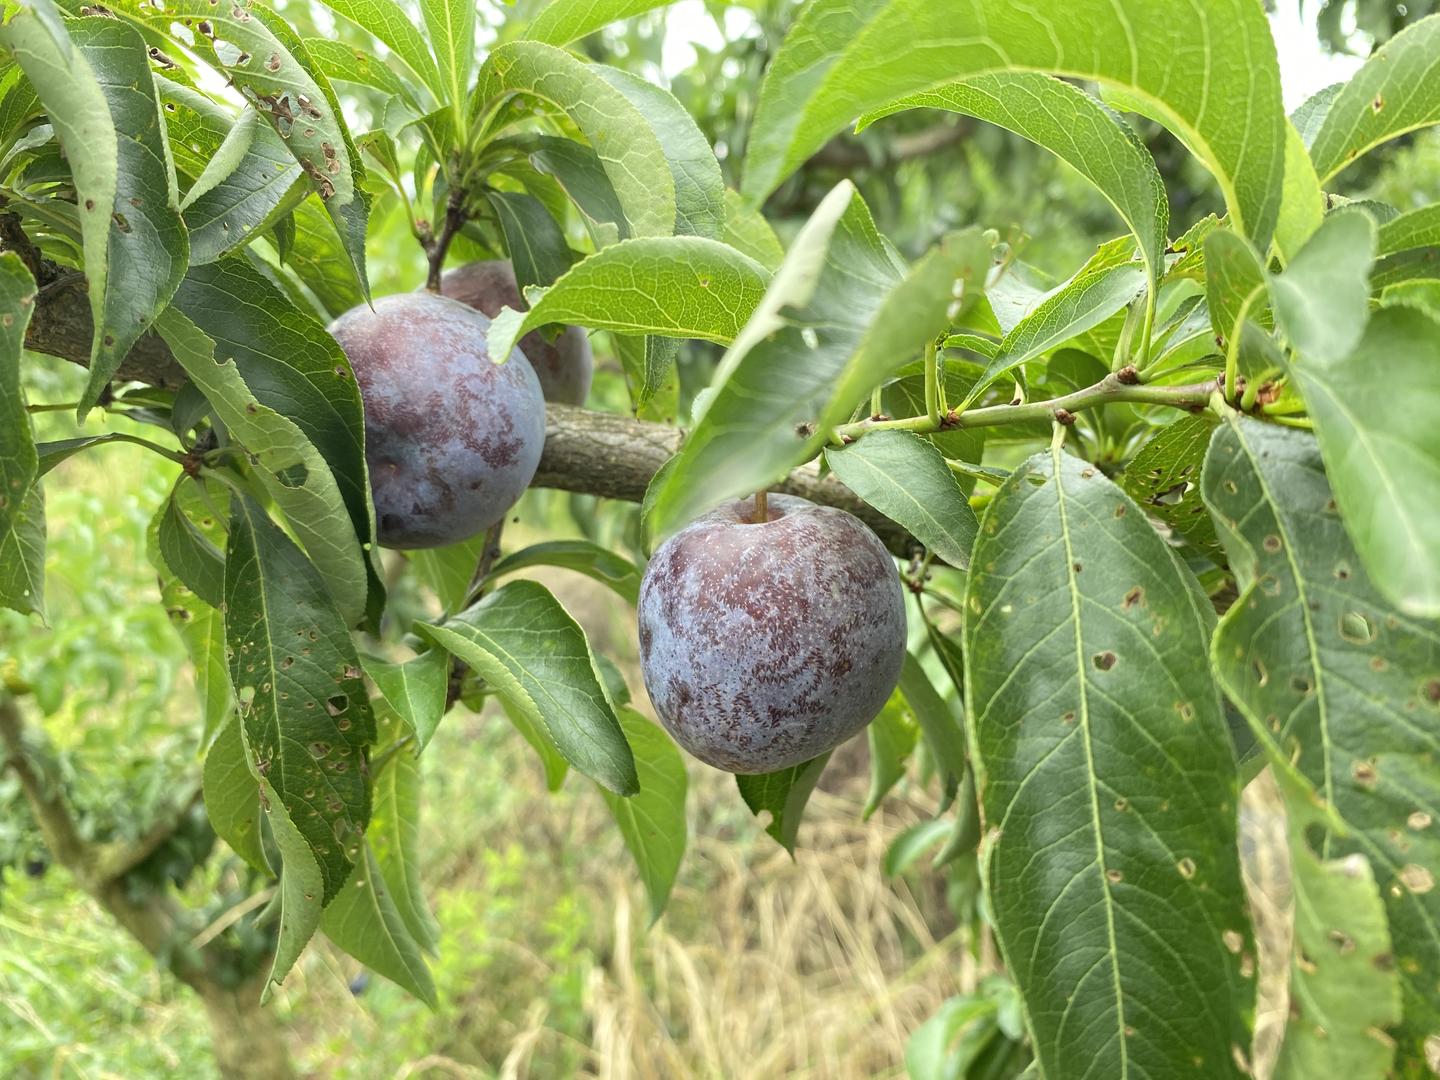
x=1323, y=300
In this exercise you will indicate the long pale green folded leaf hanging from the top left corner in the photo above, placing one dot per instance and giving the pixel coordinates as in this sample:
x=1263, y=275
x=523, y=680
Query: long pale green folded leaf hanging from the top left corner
x=78, y=110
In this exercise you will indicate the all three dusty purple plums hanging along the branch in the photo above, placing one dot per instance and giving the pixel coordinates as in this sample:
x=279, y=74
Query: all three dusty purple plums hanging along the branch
x=764, y=643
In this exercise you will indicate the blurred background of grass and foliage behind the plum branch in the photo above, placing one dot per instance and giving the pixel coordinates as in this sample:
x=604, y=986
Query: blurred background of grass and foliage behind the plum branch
x=762, y=967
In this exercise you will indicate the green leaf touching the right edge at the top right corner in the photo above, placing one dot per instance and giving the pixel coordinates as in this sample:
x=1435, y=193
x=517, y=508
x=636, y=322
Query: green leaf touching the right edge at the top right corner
x=1395, y=93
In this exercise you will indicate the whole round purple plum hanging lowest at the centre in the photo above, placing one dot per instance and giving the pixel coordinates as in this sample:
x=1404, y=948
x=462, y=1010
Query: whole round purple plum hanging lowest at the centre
x=765, y=644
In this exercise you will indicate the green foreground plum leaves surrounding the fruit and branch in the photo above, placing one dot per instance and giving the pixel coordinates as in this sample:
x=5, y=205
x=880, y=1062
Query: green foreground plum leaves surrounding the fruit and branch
x=1241, y=418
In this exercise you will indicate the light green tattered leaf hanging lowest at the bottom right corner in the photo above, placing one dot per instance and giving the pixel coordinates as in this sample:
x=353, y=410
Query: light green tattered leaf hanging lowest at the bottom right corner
x=1344, y=990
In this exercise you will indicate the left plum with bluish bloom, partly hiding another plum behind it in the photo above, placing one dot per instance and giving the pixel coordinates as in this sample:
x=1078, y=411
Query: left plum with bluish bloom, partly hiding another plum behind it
x=451, y=438
